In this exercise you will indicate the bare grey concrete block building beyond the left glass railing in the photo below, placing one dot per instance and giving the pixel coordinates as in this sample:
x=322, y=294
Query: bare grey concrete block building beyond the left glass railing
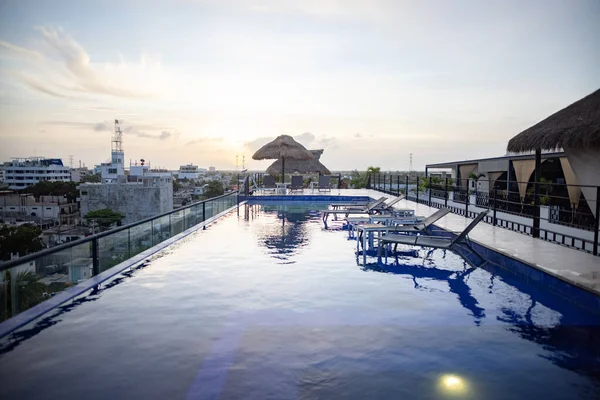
x=148, y=196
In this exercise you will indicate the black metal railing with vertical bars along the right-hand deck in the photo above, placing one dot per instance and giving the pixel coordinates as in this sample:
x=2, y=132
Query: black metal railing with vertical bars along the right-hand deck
x=540, y=209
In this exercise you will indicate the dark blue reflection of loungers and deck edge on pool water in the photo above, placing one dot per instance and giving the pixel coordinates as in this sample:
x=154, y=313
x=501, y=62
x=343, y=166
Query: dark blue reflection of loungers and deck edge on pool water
x=570, y=338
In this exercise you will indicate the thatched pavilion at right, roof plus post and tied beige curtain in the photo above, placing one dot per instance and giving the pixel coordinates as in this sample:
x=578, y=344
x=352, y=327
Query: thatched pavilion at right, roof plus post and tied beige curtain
x=576, y=129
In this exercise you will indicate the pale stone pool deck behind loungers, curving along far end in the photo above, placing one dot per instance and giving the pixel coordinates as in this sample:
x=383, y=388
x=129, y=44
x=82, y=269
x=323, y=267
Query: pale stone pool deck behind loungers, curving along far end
x=574, y=266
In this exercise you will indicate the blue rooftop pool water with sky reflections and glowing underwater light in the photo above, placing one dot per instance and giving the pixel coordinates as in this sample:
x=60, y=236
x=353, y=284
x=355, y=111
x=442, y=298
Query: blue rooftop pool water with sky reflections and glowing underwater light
x=268, y=304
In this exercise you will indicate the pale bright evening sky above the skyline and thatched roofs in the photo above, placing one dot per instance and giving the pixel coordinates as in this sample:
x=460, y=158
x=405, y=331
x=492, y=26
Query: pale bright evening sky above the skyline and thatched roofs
x=201, y=81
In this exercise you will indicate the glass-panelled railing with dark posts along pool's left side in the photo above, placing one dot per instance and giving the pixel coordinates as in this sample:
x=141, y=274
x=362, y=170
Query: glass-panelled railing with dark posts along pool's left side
x=31, y=279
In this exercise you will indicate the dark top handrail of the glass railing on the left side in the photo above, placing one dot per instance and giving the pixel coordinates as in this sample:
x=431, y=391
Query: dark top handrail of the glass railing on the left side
x=33, y=256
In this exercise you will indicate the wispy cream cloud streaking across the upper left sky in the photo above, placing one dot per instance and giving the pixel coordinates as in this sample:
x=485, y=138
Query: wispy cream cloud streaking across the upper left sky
x=68, y=71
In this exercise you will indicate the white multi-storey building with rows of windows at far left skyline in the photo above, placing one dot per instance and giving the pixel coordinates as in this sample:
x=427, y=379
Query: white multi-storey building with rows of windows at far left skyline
x=23, y=172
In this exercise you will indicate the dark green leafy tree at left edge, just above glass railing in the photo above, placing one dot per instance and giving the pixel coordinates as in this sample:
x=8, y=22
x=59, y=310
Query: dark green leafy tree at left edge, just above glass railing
x=22, y=239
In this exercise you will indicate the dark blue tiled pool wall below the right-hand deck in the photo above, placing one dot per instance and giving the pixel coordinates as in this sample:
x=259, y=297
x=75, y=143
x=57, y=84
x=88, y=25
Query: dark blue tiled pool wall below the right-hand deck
x=568, y=290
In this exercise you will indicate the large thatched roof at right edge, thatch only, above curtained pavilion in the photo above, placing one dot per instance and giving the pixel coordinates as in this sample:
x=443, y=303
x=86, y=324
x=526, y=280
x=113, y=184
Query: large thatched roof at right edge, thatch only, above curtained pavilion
x=576, y=127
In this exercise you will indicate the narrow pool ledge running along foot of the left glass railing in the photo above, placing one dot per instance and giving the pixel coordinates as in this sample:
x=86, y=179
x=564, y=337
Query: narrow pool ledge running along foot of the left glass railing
x=22, y=319
